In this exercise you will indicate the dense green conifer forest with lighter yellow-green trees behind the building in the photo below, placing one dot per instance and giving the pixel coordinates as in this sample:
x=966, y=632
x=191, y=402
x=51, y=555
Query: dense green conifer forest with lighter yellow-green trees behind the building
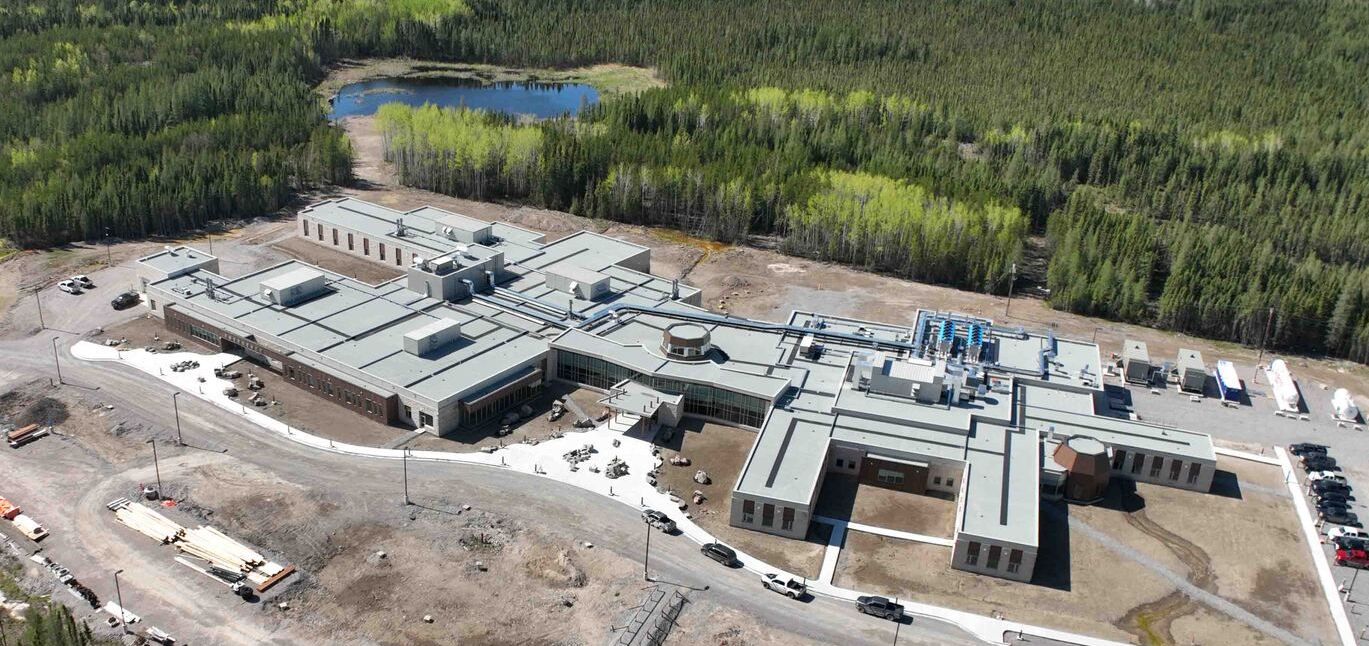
x=1193, y=165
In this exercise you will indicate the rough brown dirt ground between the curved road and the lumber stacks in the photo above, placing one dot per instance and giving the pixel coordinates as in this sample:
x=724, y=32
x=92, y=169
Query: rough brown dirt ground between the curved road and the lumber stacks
x=353, y=591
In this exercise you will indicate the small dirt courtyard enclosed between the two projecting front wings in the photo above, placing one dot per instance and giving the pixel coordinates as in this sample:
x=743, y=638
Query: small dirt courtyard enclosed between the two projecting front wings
x=843, y=498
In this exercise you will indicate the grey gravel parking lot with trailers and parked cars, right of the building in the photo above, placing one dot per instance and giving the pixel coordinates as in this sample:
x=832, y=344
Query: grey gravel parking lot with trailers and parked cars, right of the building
x=1255, y=426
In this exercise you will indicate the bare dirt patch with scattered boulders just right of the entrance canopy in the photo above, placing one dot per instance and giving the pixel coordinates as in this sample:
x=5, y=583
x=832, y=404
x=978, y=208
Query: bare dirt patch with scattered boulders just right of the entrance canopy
x=721, y=451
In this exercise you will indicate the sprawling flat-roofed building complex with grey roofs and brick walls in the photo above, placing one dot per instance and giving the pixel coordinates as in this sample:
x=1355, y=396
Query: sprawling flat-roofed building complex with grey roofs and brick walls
x=487, y=313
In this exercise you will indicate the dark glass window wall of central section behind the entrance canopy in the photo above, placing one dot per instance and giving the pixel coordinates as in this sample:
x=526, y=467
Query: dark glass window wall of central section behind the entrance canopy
x=703, y=400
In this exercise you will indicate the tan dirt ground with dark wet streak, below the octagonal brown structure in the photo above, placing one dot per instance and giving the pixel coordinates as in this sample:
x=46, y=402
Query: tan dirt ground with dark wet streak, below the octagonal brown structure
x=1241, y=543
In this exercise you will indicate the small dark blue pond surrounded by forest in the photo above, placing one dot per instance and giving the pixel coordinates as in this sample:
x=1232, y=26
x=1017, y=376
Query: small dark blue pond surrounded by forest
x=525, y=99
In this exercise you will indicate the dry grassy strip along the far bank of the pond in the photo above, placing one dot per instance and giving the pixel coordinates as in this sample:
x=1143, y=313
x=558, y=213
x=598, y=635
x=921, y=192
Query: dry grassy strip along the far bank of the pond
x=607, y=79
